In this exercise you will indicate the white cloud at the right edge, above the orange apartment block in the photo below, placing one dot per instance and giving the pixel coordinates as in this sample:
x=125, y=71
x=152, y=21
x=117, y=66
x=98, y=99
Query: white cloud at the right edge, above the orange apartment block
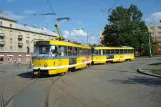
x=154, y=18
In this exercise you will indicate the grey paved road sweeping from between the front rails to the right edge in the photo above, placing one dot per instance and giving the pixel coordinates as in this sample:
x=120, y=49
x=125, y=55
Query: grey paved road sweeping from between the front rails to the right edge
x=109, y=85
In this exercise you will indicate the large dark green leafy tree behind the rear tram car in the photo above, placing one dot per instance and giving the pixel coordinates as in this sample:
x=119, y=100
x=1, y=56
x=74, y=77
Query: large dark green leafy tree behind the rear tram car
x=126, y=28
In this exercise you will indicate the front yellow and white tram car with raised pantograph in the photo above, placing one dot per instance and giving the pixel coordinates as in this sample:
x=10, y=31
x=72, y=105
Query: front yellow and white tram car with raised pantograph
x=54, y=57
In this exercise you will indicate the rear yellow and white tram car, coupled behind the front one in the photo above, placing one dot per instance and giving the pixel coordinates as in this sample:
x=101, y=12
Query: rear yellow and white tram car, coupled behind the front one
x=101, y=55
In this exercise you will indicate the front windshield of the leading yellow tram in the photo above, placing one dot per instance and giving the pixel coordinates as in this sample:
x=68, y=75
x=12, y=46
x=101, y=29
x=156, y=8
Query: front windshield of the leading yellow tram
x=45, y=50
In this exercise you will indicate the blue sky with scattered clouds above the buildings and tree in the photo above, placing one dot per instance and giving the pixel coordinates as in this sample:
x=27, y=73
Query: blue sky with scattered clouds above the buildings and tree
x=88, y=17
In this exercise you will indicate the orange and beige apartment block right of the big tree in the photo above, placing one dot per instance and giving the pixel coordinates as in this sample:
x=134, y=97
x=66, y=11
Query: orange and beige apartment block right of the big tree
x=155, y=31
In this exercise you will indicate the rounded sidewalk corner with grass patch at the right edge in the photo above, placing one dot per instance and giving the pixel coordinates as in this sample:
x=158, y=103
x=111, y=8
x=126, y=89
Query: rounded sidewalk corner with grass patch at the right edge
x=147, y=69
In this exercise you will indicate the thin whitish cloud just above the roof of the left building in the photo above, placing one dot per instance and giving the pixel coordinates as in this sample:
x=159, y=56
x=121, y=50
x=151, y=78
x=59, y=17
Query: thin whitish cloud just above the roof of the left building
x=13, y=15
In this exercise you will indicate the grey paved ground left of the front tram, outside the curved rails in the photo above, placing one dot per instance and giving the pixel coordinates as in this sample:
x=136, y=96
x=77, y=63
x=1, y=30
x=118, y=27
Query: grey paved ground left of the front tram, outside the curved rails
x=13, y=79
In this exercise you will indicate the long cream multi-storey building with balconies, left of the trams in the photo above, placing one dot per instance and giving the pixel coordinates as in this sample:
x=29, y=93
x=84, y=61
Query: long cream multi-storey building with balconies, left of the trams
x=15, y=38
